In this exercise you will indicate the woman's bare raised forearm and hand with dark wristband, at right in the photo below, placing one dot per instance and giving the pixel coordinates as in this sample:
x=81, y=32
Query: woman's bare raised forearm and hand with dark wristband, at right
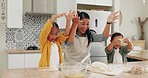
x=111, y=18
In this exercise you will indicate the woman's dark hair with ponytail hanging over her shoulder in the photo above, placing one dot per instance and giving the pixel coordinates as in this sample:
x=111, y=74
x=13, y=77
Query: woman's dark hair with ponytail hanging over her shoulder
x=84, y=15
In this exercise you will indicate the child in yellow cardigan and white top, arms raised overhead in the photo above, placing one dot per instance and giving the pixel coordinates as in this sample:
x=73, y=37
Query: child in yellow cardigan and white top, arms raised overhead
x=50, y=41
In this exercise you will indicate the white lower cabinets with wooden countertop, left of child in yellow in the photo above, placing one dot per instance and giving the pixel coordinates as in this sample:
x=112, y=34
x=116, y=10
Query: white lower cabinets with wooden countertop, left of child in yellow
x=23, y=58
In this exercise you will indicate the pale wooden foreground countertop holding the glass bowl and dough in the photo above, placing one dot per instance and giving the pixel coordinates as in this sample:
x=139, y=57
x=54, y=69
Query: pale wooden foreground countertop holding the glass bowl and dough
x=43, y=73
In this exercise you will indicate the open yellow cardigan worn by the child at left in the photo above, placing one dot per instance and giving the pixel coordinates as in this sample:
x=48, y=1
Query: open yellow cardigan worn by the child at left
x=45, y=45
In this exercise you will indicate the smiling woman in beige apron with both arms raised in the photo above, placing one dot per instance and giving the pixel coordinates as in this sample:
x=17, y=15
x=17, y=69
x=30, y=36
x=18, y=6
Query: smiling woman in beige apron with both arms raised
x=79, y=42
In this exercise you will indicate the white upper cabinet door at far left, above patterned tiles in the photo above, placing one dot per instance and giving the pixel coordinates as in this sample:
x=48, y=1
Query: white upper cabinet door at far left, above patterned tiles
x=14, y=13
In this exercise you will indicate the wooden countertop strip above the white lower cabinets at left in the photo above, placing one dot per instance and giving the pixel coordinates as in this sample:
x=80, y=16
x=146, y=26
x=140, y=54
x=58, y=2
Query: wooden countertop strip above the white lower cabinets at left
x=22, y=51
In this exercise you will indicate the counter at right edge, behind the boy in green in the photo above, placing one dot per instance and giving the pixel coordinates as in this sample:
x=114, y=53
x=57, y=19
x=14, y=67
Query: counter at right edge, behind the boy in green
x=139, y=55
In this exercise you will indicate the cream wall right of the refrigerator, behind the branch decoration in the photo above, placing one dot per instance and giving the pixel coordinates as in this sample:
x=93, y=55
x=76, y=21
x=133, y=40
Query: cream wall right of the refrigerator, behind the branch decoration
x=131, y=10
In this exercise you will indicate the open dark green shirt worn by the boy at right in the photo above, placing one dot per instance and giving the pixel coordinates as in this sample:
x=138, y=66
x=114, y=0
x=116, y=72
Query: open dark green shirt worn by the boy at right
x=123, y=52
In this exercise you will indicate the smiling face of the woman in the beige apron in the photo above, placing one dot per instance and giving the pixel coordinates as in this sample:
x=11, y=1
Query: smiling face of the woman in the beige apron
x=83, y=26
